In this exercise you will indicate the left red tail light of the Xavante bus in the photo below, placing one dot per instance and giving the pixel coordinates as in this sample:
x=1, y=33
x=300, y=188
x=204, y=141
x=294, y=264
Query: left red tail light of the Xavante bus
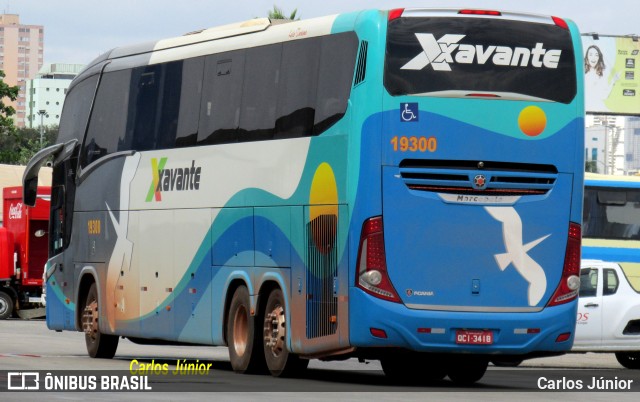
x=372, y=262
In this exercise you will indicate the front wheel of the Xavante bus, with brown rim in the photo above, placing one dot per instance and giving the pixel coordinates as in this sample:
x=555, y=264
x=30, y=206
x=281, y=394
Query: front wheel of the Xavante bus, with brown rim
x=99, y=345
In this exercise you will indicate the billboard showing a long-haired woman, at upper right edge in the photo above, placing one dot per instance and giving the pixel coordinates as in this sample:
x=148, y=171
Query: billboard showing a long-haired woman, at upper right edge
x=611, y=74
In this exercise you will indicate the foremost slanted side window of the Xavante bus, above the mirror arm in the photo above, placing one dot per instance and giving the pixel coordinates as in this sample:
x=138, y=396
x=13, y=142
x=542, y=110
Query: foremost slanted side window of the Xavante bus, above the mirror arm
x=75, y=113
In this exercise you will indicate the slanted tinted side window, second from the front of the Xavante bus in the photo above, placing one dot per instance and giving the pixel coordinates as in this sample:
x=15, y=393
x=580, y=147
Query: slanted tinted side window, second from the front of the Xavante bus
x=106, y=132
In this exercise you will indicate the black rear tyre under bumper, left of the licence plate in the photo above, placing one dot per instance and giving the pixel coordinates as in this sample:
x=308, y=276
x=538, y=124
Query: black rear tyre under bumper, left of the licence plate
x=404, y=369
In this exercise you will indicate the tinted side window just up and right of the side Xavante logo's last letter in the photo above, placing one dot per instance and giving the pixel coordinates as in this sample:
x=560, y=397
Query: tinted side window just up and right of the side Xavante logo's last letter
x=221, y=95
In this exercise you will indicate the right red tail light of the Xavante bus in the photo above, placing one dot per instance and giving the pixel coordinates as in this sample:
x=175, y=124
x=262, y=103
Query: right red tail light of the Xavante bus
x=570, y=281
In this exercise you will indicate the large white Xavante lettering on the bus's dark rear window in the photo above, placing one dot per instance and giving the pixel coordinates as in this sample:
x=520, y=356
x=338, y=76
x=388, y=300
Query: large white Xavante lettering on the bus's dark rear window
x=440, y=53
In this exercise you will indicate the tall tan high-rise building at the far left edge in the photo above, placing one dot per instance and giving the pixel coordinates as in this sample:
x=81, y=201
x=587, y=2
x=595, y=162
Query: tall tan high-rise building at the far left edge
x=21, y=57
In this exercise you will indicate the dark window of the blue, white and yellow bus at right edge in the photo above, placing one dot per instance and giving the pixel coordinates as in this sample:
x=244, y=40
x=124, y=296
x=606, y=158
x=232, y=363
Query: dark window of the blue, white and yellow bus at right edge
x=611, y=213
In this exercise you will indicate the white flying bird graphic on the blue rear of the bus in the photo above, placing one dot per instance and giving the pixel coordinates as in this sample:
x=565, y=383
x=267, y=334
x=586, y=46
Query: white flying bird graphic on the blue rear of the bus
x=517, y=251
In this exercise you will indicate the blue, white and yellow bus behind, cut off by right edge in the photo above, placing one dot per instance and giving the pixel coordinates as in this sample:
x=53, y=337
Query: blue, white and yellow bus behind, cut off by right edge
x=611, y=222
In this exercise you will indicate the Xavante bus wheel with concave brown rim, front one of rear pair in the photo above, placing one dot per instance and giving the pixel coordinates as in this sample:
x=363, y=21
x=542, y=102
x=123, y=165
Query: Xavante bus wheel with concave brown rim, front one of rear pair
x=244, y=344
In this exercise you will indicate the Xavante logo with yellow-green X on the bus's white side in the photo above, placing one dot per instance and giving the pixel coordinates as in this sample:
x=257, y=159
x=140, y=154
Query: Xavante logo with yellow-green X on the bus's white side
x=172, y=179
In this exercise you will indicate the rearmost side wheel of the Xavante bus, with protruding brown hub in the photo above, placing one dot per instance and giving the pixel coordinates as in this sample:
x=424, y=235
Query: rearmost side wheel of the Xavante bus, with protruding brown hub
x=280, y=362
